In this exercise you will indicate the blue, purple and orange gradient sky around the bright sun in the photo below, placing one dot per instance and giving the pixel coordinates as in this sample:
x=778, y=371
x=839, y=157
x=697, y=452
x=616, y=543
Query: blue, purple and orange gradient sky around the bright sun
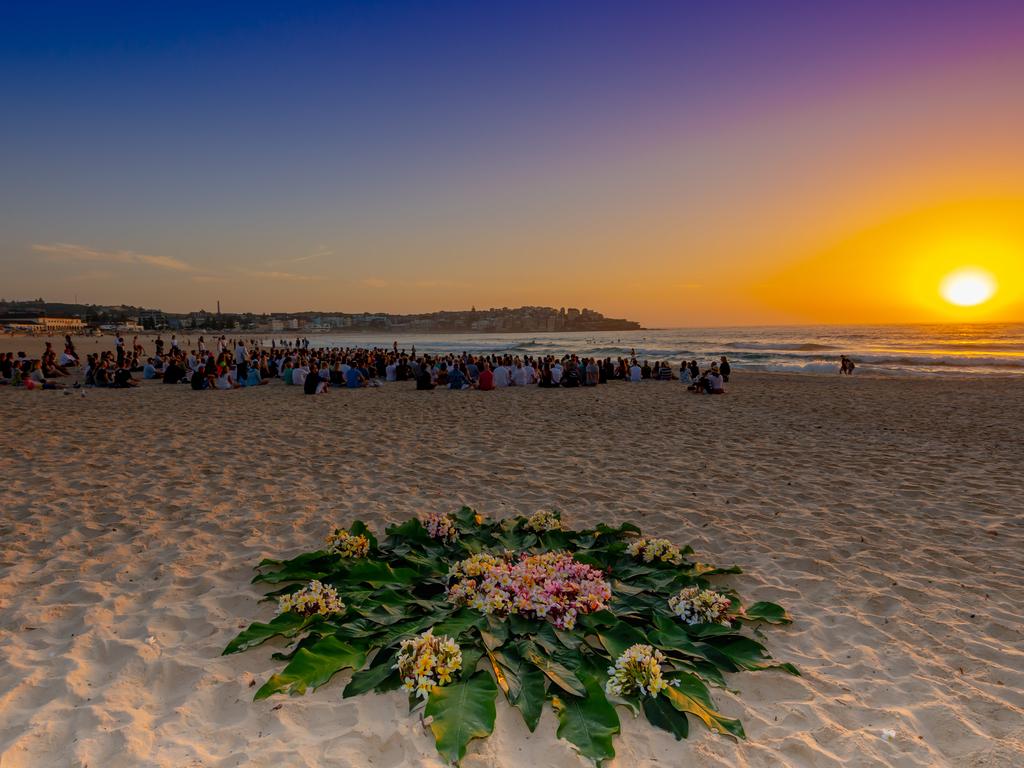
x=675, y=163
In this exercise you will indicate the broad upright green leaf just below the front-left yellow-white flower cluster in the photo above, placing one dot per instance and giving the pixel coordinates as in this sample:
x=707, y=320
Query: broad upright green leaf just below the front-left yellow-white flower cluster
x=462, y=712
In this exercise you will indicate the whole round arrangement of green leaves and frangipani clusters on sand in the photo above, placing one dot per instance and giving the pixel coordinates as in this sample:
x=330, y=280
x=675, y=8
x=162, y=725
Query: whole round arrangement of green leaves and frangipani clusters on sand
x=456, y=609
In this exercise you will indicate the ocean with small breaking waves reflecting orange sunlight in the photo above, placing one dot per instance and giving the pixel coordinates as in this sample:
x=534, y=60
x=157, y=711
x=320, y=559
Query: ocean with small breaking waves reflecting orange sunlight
x=887, y=351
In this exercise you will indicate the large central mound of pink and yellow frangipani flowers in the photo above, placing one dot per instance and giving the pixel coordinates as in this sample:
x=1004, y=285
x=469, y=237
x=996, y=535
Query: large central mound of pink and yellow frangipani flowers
x=552, y=586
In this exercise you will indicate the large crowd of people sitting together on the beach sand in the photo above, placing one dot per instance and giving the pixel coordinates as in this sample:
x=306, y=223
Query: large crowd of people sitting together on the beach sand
x=237, y=364
